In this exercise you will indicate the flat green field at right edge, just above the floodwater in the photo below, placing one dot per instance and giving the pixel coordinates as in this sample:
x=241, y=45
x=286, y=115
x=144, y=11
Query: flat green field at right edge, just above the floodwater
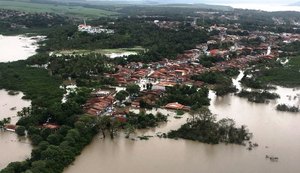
x=288, y=75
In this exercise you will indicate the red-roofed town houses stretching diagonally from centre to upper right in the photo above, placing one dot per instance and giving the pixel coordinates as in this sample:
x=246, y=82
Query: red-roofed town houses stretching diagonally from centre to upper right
x=169, y=72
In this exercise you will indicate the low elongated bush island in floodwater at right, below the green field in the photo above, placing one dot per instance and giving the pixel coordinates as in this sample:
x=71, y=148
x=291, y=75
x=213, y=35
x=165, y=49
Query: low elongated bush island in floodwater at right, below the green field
x=258, y=97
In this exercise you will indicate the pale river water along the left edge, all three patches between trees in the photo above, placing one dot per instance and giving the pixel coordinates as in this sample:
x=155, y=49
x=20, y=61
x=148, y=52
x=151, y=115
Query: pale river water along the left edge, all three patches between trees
x=13, y=148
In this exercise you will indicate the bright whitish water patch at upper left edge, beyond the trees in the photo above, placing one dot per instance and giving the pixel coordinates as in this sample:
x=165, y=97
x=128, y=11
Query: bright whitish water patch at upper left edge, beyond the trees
x=19, y=47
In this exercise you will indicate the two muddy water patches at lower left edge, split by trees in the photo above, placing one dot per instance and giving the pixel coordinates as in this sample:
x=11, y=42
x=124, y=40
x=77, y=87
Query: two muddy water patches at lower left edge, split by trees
x=12, y=148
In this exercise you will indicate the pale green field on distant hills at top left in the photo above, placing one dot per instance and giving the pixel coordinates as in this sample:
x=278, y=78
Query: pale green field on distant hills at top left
x=52, y=8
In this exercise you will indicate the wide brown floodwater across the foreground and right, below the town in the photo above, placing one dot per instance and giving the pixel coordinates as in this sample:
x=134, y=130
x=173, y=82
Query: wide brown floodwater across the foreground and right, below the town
x=277, y=134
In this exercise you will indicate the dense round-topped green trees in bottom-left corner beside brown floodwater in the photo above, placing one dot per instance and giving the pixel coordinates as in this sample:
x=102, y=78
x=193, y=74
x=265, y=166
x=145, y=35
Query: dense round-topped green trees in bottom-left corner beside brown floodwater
x=55, y=150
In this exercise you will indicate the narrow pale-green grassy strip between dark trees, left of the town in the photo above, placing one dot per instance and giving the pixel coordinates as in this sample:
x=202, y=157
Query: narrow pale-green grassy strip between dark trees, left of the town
x=101, y=51
